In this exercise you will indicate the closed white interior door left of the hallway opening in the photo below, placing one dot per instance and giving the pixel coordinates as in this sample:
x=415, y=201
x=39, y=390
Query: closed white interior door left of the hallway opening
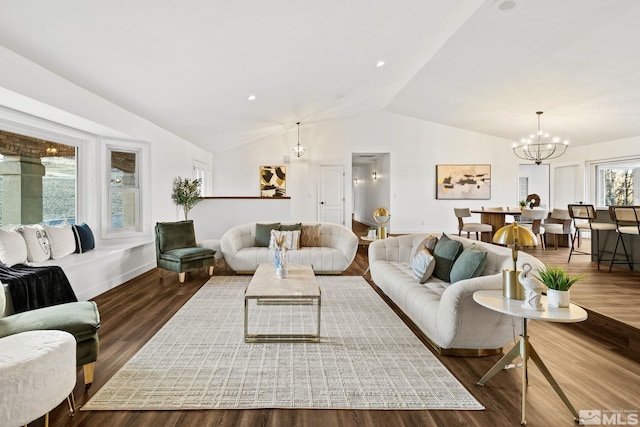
x=331, y=194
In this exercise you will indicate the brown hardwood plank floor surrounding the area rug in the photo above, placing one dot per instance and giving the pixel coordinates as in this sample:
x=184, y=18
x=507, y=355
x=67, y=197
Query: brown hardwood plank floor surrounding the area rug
x=593, y=366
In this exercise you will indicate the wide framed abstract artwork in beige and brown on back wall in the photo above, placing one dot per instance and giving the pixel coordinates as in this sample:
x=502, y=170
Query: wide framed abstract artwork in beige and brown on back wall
x=463, y=182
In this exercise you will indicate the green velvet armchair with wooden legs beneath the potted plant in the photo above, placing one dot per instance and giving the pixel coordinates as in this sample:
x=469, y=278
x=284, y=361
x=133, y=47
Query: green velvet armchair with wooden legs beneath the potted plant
x=176, y=249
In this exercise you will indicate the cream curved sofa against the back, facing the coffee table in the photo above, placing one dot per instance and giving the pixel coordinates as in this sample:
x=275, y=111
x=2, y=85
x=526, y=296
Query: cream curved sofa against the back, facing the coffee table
x=338, y=247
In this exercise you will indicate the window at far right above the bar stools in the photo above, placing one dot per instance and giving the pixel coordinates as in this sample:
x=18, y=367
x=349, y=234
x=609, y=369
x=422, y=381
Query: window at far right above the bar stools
x=616, y=182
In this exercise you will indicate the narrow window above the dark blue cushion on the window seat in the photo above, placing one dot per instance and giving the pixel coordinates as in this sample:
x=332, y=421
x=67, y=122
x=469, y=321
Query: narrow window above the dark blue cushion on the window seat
x=124, y=192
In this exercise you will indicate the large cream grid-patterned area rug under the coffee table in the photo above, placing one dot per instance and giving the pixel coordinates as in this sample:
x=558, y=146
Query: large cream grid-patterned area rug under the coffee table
x=367, y=358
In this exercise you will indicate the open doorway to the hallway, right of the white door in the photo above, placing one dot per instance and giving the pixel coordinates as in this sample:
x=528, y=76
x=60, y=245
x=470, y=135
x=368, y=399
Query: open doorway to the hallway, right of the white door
x=371, y=186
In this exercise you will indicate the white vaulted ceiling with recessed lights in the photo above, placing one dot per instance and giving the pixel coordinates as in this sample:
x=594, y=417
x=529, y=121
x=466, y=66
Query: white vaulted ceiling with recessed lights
x=190, y=65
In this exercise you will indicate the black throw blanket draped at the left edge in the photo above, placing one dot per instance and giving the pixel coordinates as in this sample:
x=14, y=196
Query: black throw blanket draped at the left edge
x=36, y=287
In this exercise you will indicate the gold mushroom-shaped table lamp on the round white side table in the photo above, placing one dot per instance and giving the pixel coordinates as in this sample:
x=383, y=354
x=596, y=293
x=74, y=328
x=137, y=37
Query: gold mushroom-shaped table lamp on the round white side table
x=515, y=236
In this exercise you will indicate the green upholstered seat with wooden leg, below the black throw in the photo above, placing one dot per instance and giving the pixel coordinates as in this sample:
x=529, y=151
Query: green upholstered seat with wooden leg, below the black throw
x=81, y=319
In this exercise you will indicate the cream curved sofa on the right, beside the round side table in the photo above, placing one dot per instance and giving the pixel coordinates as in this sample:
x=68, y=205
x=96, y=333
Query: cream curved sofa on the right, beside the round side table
x=446, y=313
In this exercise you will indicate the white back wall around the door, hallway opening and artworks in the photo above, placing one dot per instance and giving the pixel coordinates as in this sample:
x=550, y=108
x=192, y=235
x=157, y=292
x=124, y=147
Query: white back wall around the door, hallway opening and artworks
x=415, y=147
